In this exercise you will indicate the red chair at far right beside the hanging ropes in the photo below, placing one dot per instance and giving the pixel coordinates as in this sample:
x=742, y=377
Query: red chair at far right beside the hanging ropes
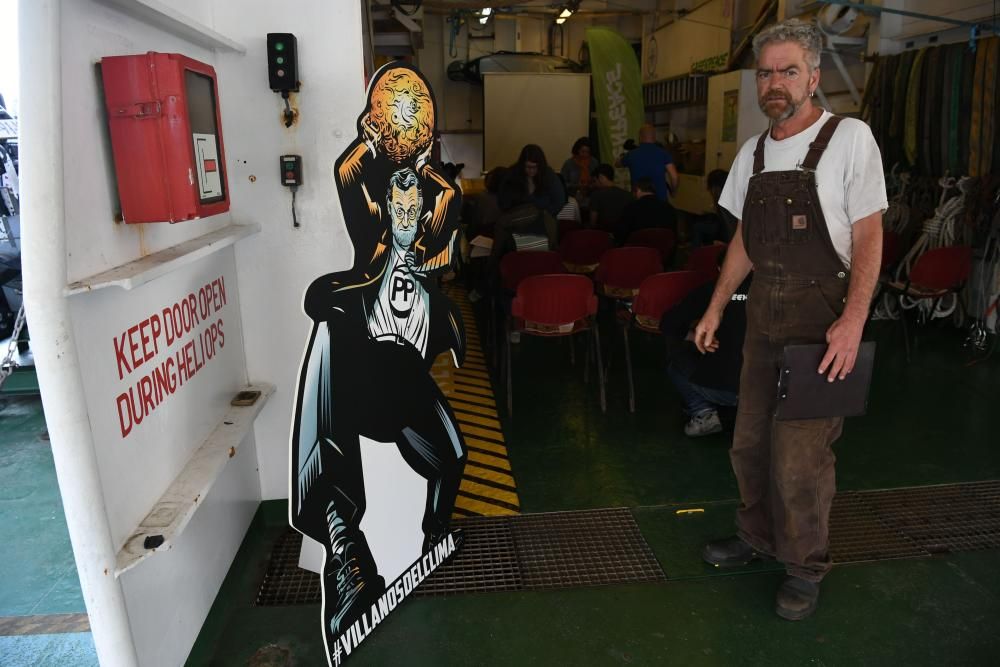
x=936, y=274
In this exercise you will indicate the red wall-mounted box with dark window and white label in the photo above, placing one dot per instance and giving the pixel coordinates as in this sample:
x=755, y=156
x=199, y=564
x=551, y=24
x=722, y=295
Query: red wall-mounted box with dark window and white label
x=166, y=135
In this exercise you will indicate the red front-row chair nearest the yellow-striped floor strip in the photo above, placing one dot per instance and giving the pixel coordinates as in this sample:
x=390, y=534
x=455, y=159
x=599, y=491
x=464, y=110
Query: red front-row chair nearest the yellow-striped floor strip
x=555, y=305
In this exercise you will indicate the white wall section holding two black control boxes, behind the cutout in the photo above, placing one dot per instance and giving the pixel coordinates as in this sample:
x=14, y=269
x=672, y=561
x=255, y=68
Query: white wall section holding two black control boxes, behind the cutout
x=276, y=266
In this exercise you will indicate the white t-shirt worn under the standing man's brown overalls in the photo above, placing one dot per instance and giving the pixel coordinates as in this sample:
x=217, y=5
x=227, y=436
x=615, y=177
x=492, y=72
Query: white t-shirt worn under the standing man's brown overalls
x=849, y=177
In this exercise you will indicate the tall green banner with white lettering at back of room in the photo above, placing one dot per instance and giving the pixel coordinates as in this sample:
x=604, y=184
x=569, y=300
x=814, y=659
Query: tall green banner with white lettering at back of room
x=617, y=90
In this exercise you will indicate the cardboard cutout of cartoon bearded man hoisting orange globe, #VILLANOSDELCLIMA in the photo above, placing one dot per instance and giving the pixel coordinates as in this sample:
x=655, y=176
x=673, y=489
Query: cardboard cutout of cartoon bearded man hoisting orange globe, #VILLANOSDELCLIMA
x=377, y=329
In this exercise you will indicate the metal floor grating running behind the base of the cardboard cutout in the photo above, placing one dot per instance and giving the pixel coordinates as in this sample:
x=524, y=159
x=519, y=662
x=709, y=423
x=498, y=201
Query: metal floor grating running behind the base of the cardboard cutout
x=504, y=553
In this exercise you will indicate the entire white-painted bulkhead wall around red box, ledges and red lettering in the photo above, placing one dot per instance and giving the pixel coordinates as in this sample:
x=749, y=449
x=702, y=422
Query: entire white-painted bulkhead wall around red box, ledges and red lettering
x=168, y=595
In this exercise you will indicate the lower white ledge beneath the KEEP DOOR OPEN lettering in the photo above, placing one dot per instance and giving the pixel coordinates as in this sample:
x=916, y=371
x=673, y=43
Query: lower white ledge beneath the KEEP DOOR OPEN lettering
x=172, y=513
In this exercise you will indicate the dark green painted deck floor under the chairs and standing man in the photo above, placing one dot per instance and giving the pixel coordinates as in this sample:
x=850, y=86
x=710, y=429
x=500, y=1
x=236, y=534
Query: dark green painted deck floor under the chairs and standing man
x=930, y=423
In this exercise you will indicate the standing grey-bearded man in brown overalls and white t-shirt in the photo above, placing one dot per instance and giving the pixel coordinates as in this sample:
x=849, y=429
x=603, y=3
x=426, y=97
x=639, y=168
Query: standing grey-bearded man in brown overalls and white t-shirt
x=809, y=194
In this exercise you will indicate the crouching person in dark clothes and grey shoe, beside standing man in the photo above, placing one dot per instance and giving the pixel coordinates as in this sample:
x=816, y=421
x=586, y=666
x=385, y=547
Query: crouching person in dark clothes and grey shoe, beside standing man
x=706, y=382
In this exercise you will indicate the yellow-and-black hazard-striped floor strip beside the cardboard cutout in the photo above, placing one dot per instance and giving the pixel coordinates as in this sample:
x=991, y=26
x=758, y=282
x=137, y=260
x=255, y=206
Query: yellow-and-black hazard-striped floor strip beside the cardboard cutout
x=487, y=486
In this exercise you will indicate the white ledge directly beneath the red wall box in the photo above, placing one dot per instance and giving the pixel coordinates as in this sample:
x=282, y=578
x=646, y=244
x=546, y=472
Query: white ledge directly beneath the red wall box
x=148, y=268
